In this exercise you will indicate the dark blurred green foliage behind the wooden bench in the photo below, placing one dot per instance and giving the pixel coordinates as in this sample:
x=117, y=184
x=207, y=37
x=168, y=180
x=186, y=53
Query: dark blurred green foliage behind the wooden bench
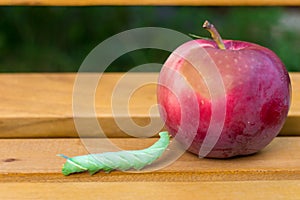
x=57, y=39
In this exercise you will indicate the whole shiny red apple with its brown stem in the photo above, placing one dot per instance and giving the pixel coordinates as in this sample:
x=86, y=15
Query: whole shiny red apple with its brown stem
x=251, y=110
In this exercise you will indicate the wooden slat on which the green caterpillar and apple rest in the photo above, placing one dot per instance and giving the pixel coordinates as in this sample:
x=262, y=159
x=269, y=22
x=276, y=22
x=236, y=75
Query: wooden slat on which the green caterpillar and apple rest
x=35, y=160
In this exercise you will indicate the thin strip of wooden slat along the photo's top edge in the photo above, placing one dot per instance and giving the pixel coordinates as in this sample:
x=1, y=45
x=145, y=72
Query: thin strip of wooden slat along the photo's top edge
x=151, y=2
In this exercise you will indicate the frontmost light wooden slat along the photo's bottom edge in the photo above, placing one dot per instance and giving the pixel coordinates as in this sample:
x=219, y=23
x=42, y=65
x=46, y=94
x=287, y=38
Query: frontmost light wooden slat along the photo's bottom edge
x=259, y=190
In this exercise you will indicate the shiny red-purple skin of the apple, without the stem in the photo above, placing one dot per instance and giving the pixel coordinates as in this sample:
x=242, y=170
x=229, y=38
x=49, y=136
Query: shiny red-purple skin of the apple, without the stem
x=257, y=88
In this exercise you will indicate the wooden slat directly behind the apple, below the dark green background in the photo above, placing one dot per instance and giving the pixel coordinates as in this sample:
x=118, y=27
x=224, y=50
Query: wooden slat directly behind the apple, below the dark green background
x=40, y=105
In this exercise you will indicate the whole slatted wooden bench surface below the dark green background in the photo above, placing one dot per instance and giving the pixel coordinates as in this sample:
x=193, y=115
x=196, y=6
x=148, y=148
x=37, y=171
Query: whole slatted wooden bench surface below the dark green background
x=36, y=123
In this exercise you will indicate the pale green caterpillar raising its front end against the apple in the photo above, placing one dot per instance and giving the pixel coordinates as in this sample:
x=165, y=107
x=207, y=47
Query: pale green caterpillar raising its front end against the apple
x=122, y=160
